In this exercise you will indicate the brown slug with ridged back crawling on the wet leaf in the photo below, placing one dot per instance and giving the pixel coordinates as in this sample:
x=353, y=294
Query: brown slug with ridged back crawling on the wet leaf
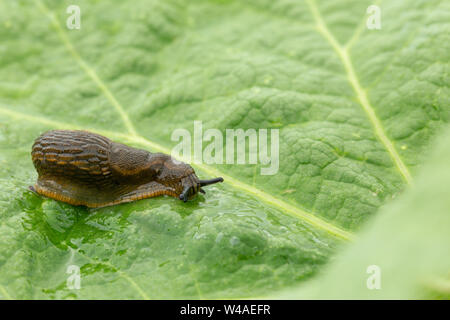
x=84, y=168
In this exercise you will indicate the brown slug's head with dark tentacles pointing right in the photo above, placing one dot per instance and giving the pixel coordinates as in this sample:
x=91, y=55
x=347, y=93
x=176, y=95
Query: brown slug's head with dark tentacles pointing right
x=181, y=177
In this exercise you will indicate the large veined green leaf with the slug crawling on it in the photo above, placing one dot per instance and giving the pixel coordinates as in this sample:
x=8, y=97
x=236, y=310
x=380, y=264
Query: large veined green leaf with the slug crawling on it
x=356, y=110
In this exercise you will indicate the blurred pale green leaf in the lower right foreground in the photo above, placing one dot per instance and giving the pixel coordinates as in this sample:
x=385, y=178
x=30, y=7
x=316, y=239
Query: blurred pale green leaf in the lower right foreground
x=408, y=241
